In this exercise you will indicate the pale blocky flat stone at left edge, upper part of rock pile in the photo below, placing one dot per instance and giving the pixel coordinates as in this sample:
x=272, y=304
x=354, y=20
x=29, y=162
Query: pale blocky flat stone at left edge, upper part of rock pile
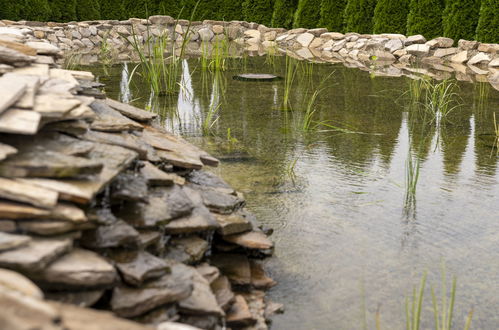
x=16, y=121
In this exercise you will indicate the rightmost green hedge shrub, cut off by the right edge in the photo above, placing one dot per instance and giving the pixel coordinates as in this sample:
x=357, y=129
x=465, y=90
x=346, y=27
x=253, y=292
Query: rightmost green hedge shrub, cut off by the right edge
x=488, y=24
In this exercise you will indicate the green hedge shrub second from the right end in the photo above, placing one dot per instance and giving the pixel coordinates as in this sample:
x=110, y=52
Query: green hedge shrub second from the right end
x=461, y=18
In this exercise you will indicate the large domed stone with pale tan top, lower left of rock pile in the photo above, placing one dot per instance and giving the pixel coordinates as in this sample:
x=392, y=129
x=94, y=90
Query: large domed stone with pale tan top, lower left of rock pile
x=80, y=269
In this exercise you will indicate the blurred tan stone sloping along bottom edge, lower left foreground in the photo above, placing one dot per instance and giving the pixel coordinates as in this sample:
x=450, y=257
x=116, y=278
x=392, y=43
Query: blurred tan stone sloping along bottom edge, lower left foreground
x=78, y=318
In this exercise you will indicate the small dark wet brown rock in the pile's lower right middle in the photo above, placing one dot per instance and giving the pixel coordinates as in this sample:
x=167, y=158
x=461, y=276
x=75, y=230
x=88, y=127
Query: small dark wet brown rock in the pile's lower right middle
x=187, y=249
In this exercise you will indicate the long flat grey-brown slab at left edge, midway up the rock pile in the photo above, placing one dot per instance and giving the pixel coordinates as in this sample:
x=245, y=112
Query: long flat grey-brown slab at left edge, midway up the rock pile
x=48, y=164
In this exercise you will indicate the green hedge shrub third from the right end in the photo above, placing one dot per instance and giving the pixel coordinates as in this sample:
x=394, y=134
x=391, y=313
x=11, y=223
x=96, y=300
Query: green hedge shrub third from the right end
x=425, y=17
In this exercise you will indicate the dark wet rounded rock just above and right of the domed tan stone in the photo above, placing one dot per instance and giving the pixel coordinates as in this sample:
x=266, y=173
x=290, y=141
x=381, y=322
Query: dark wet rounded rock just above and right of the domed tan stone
x=117, y=234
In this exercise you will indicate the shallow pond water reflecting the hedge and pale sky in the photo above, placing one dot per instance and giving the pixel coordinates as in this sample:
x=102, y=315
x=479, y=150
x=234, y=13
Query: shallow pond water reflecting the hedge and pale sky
x=351, y=240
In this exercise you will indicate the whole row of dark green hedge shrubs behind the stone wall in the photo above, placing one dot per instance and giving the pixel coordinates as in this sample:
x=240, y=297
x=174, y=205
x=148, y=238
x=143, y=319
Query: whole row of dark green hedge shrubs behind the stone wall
x=457, y=19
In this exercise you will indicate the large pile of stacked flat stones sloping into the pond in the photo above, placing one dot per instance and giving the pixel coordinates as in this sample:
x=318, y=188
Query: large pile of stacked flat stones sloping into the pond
x=101, y=208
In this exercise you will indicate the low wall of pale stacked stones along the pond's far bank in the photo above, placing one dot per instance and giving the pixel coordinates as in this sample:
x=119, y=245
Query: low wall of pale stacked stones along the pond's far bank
x=469, y=60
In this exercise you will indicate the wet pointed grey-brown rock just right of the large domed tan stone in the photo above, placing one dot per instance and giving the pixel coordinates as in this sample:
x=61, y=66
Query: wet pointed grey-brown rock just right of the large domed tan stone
x=138, y=267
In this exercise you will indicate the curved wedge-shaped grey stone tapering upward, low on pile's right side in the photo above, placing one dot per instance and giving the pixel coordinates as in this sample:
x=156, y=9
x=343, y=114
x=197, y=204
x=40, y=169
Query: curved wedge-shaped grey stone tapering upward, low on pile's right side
x=201, y=301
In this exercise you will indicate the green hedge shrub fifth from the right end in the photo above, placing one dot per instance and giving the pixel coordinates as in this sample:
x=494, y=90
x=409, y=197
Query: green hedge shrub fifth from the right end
x=359, y=16
